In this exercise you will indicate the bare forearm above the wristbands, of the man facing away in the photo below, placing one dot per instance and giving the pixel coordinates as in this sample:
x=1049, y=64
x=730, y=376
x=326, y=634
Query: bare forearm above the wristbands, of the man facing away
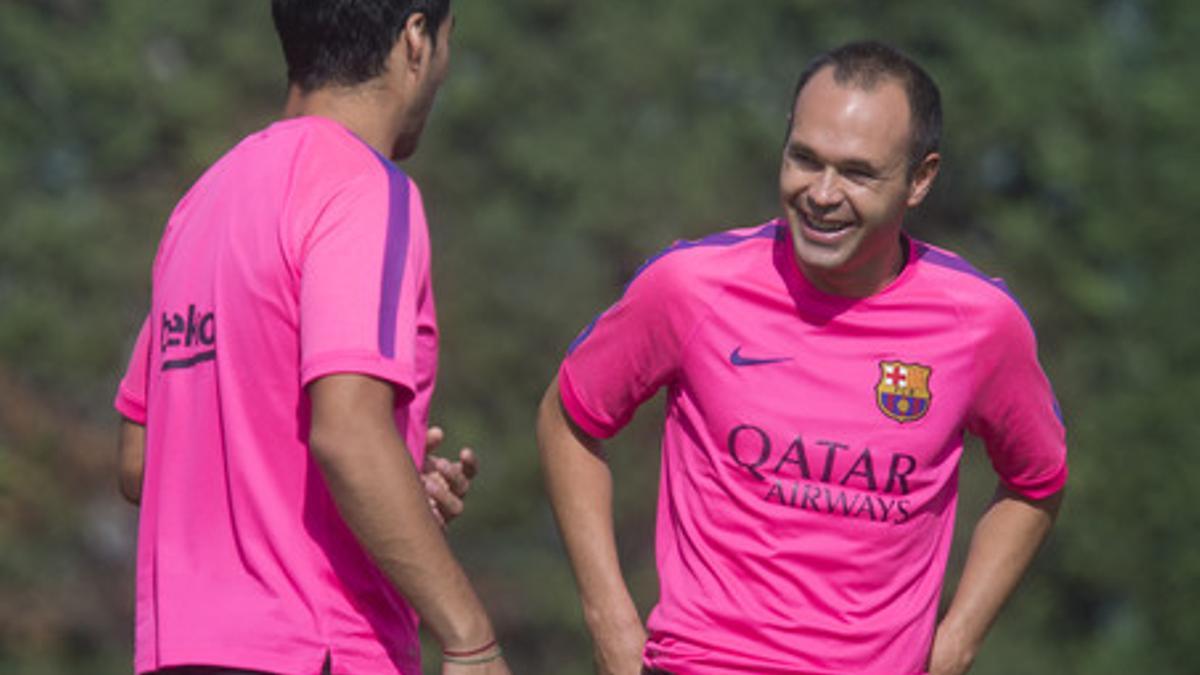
x=380, y=495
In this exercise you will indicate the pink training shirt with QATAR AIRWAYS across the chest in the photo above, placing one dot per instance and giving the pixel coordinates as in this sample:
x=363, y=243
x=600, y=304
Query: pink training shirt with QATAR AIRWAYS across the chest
x=812, y=446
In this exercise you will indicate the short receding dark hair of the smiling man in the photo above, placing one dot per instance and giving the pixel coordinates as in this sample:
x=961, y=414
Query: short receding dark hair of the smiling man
x=869, y=64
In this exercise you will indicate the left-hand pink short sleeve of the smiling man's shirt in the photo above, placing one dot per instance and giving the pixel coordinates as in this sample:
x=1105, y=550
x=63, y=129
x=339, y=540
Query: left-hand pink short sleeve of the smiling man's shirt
x=629, y=351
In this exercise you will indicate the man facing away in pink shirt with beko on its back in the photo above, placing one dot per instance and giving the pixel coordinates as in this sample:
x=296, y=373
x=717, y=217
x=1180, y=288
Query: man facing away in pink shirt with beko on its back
x=277, y=403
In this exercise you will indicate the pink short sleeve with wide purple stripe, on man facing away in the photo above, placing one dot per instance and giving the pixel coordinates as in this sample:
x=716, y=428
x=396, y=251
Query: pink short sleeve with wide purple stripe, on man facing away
x=362, y=273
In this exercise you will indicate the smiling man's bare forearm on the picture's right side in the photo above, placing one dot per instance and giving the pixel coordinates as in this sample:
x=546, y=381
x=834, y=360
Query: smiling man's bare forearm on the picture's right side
x=1005, y=542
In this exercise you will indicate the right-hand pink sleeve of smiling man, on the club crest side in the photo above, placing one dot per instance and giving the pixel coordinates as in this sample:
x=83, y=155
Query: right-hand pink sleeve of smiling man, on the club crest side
x=1015, y=410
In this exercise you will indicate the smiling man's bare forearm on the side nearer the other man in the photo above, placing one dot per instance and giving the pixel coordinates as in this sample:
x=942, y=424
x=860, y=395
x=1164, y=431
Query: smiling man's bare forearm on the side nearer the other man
x=580, y=488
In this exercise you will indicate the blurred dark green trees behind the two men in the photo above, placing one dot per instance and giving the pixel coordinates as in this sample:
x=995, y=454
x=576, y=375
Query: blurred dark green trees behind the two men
x=572, y=141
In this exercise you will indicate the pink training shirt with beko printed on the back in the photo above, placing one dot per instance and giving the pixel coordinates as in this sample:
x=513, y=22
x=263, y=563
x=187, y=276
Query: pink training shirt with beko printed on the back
x=298, y=255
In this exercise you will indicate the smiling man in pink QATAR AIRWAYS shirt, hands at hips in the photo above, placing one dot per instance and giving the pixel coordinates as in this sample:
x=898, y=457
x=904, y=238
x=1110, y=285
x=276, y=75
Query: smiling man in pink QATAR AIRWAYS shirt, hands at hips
x=820, y=372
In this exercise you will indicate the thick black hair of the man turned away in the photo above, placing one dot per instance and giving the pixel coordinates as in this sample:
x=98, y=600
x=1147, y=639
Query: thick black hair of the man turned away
x=346, y=43
